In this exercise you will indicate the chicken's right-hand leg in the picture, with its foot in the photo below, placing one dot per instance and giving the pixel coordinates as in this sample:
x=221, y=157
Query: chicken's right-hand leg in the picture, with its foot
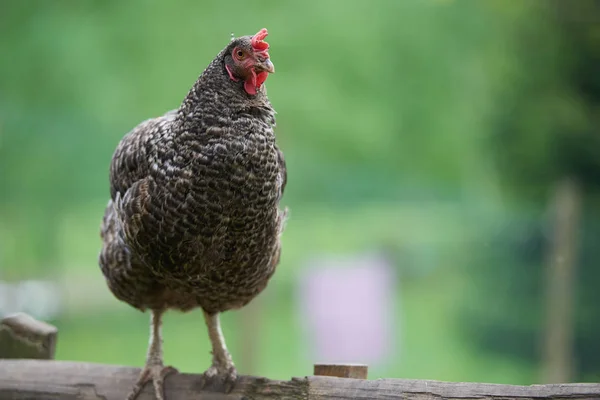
x=222, y=367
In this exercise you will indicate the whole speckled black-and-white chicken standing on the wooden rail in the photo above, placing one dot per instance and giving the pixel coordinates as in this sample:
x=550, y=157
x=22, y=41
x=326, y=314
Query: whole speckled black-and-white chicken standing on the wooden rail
x=193, y=218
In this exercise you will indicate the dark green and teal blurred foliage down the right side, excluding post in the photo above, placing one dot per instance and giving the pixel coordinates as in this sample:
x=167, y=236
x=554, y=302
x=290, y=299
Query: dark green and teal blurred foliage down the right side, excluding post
x=545, y=129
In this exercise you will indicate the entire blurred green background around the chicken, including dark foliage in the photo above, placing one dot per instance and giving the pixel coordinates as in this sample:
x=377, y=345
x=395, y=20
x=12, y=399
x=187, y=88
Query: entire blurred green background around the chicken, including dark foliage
x=459, y=138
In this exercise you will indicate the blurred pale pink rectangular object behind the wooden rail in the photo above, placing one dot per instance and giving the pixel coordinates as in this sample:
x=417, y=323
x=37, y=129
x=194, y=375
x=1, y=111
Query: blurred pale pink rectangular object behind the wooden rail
x=346, y=305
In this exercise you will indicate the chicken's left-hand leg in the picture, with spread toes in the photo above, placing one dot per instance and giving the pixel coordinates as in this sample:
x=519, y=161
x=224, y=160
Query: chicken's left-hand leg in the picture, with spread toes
x=154, y=370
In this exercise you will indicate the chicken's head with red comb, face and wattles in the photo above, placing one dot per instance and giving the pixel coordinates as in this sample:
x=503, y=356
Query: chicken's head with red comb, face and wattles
x=247, y=59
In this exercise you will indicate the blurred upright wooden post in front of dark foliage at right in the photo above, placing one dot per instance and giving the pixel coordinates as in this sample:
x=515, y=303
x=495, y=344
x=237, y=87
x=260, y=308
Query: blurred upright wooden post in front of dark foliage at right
x=557, y=356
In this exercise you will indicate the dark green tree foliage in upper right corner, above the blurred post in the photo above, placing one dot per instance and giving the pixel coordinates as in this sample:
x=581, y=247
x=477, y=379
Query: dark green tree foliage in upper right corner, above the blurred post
x=547, y=124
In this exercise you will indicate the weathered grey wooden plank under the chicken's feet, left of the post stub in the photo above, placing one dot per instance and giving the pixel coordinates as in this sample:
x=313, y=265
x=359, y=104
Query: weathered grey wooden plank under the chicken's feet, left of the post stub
x=62, y=380
